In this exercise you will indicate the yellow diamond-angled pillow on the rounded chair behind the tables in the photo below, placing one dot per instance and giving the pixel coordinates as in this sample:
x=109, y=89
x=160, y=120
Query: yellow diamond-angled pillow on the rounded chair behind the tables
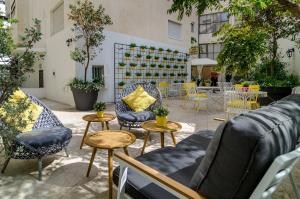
x=139, y=100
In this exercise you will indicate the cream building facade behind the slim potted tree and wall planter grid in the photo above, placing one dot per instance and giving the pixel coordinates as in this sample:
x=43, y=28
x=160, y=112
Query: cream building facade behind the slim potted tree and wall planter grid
x=142, y=22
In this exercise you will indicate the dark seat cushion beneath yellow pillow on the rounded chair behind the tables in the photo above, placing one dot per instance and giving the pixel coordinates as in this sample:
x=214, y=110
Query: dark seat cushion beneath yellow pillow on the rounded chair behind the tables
x=136, y=116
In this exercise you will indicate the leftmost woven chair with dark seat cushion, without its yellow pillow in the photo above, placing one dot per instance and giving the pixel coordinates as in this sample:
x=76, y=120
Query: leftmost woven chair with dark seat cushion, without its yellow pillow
x=48, y=136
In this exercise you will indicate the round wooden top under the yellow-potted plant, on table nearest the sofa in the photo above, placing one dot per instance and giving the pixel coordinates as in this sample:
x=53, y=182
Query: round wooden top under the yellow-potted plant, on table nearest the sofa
x=151, y=125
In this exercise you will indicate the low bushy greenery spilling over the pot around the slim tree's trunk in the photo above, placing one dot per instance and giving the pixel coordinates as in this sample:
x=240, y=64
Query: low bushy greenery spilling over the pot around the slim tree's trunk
x=86, y=86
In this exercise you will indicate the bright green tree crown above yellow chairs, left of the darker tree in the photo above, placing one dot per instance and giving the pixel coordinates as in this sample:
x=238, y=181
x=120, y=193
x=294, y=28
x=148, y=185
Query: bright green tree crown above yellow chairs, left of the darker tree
x=243, y=47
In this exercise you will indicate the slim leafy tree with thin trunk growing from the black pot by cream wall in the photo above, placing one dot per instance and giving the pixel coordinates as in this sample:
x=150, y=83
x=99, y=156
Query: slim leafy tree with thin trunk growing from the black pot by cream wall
x=88, y=26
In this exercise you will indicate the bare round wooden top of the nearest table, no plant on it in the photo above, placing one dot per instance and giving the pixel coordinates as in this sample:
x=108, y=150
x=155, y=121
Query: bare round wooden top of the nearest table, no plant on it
x=110, y=139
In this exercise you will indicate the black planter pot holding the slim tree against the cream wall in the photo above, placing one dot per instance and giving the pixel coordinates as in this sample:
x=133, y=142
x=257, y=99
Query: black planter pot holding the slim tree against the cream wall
x=84, y=101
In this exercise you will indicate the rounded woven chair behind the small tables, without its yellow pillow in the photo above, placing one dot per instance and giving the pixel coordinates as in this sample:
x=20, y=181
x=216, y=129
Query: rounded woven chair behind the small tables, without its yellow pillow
x=126, y=116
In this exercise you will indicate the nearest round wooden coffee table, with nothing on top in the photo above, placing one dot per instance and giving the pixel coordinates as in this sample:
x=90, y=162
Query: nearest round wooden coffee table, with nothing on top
x=109, y=140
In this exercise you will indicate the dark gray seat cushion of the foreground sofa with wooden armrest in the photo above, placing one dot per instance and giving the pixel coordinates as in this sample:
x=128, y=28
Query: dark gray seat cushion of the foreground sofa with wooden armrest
x=178, y=163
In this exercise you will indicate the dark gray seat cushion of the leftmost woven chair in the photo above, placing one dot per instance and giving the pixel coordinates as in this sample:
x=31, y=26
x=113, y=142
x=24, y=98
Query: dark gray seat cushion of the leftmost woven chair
x=42, y=140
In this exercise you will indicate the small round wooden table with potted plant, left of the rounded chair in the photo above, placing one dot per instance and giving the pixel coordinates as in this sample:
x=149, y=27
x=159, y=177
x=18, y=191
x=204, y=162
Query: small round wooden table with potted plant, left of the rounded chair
x=94, y=118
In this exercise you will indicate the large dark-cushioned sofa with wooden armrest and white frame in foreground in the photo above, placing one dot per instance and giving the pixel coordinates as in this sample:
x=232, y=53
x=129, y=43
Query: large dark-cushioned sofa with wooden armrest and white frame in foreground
x=227, y=163
